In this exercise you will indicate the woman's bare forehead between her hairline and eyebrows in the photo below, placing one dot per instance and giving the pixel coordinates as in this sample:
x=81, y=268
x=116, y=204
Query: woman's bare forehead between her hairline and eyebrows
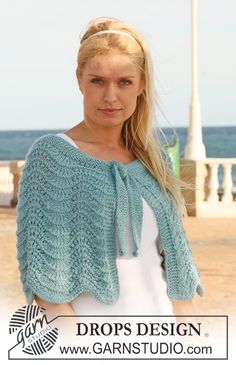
x=113, y=63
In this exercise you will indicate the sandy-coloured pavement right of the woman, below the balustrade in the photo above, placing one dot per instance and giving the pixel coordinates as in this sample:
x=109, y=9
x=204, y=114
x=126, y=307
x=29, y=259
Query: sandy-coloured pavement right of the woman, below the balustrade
x=213, y=242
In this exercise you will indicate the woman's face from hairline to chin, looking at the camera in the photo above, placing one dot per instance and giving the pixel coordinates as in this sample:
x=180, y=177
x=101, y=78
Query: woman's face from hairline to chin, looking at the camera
x=110, y=85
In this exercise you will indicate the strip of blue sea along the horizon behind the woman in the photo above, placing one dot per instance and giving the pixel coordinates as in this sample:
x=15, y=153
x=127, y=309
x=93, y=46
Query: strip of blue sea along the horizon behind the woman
x=219, y=142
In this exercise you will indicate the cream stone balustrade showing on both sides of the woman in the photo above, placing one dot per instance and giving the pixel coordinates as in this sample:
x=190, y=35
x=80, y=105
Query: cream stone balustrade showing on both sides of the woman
x=214, y=192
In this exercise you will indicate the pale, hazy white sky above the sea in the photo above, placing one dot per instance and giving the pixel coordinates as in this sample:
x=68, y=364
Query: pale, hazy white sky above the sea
x=40, y=40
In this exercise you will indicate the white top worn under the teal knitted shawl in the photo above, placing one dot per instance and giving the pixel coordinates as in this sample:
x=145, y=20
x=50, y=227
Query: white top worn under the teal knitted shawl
x=142, y=281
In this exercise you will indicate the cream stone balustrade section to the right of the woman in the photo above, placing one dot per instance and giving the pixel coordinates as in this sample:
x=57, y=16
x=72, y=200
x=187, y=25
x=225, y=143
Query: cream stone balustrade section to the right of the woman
x=215, y=191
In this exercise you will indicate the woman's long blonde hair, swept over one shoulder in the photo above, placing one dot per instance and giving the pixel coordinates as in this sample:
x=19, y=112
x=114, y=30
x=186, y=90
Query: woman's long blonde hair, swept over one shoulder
x=137, y=131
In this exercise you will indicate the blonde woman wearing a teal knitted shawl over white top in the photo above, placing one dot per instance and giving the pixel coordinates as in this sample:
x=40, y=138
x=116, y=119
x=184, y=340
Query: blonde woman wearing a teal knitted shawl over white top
x=99, y=205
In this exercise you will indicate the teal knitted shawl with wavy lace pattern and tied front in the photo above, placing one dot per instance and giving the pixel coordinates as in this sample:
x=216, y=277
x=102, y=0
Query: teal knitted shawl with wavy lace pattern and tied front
x=69, y=205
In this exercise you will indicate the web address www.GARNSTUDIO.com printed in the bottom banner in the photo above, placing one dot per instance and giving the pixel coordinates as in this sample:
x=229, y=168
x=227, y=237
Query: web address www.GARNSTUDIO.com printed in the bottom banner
x=117, y=348
